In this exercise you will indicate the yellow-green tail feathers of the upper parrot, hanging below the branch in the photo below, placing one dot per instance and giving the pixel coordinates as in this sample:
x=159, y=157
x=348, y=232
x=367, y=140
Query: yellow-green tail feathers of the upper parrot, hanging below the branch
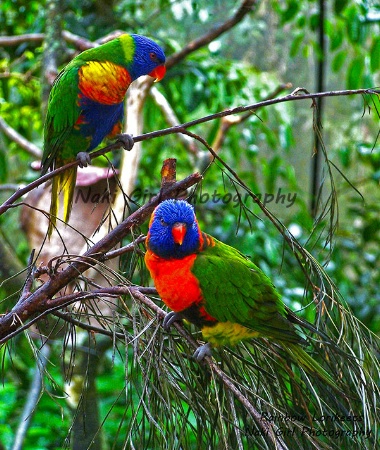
x=63, y=182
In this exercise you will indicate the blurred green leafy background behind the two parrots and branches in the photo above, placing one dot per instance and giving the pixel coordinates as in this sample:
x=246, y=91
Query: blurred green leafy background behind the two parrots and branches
x=271, y=151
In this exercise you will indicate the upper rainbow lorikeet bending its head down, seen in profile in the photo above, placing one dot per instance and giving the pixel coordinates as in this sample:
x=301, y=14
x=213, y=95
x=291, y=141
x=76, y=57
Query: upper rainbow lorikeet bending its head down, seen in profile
x=86, y=105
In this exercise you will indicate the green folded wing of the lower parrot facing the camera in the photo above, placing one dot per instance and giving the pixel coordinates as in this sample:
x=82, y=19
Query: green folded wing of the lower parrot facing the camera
x=244, y=294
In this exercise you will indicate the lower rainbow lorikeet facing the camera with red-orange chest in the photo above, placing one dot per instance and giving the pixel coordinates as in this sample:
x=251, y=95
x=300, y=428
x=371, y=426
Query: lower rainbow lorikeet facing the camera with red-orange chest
x=215, y=287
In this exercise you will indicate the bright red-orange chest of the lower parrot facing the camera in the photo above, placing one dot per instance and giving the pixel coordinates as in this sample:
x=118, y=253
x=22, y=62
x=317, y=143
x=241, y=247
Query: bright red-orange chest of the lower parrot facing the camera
x=176, y=285
